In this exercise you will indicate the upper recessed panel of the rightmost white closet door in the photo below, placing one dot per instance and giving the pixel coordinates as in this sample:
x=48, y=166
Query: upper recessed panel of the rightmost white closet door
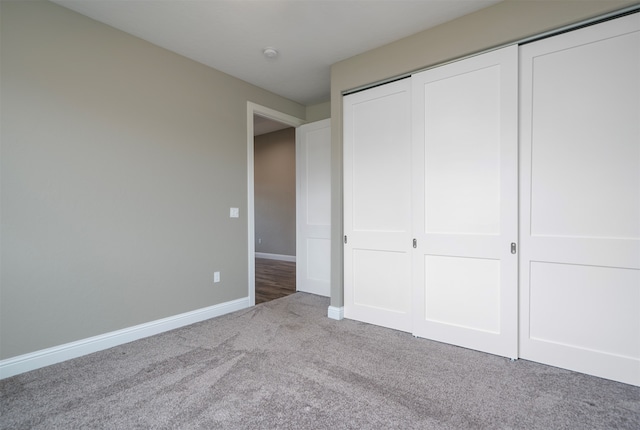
x=592, y=102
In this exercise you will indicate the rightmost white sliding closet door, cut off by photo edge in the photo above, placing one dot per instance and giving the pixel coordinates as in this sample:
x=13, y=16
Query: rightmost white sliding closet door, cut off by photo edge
x=580, y=200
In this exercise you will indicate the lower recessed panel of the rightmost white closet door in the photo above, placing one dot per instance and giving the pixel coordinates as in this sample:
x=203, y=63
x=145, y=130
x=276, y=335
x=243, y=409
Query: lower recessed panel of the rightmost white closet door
x=558, y=291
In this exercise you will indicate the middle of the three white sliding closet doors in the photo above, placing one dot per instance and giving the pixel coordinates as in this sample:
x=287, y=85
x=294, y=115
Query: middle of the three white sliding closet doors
x=465, y=176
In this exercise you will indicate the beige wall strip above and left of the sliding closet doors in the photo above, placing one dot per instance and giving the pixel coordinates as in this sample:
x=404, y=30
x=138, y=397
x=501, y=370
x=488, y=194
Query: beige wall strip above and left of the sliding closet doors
x=505, y=22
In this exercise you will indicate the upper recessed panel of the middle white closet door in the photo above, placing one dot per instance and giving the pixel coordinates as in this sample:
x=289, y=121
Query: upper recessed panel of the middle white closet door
x=462, y=153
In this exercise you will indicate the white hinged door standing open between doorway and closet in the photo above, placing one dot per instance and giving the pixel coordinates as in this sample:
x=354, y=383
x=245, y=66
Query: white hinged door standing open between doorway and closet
x=313, y=185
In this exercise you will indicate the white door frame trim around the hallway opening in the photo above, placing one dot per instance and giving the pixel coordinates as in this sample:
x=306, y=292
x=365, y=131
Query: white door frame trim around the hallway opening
x=256, y=109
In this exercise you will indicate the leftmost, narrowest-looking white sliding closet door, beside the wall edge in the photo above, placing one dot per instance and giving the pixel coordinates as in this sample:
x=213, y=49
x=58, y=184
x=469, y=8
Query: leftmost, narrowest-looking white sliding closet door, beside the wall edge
x=377, y=205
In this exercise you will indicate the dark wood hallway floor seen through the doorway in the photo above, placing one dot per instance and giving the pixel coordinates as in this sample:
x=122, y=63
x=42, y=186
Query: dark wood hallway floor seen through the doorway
x=274, y=279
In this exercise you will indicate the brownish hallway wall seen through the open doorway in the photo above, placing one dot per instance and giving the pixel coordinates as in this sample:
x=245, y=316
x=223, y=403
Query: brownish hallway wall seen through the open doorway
x=275, y=192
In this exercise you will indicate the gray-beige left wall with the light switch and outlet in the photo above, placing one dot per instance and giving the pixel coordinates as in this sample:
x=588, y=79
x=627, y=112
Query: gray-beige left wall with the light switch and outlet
x=120, y=161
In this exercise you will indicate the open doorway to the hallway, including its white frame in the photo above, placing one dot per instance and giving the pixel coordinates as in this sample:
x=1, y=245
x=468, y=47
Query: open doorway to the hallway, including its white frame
x=272, y=203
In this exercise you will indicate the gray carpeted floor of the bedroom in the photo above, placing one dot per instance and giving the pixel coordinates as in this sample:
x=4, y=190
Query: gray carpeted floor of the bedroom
x=285, y=365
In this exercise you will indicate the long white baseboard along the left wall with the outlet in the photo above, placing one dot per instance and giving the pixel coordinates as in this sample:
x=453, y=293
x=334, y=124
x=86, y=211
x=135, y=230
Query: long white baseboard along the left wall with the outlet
x=46, y=357
